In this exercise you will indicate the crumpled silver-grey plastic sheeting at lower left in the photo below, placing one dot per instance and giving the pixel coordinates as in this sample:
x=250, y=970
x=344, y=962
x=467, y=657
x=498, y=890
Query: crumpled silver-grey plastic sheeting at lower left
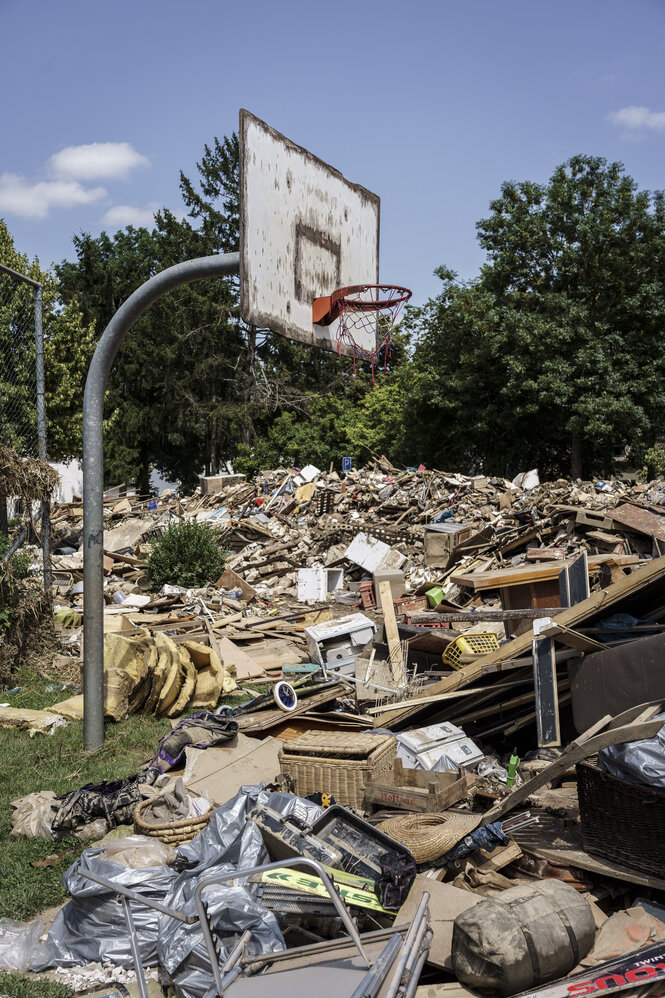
x=92, y=926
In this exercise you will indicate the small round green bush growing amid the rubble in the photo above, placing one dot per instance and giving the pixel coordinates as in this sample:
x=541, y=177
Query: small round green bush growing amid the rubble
x=187, y=554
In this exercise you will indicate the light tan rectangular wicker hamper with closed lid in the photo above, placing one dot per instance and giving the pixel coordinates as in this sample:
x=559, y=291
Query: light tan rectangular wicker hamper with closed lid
x=338, y=763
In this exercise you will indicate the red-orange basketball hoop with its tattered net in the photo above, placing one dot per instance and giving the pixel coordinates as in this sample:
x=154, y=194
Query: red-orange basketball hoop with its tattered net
x=365, y=311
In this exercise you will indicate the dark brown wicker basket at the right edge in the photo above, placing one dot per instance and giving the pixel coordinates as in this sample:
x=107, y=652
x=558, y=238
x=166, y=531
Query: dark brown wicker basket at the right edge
x=621, y=821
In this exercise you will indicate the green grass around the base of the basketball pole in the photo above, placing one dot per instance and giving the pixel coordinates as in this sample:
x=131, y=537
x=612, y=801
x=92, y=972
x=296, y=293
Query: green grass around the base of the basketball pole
x=56, y=762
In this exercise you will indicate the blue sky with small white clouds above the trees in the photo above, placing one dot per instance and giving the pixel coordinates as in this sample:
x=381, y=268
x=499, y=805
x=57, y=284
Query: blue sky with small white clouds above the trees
x=429, y=104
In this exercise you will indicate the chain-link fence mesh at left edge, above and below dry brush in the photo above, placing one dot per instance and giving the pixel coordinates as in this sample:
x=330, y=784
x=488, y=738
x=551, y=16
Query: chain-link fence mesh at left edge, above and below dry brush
x=22, y=404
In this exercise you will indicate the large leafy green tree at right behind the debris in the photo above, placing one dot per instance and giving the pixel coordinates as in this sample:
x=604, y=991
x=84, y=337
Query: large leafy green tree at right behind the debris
x=555, y=354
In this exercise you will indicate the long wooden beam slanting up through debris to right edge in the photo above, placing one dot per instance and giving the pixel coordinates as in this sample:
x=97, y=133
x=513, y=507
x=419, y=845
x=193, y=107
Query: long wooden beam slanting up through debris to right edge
x=606, y=598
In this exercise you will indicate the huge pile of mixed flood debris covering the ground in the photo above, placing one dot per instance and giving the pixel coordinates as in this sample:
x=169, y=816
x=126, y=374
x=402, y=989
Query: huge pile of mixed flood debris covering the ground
x=417, y=740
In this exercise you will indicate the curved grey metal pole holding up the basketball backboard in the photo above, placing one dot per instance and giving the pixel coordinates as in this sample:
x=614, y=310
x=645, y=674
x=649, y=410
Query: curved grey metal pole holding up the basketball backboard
x=93, y=471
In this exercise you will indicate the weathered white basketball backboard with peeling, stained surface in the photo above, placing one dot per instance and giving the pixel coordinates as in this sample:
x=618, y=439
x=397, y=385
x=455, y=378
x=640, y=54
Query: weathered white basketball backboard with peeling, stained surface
x=305, y=231
